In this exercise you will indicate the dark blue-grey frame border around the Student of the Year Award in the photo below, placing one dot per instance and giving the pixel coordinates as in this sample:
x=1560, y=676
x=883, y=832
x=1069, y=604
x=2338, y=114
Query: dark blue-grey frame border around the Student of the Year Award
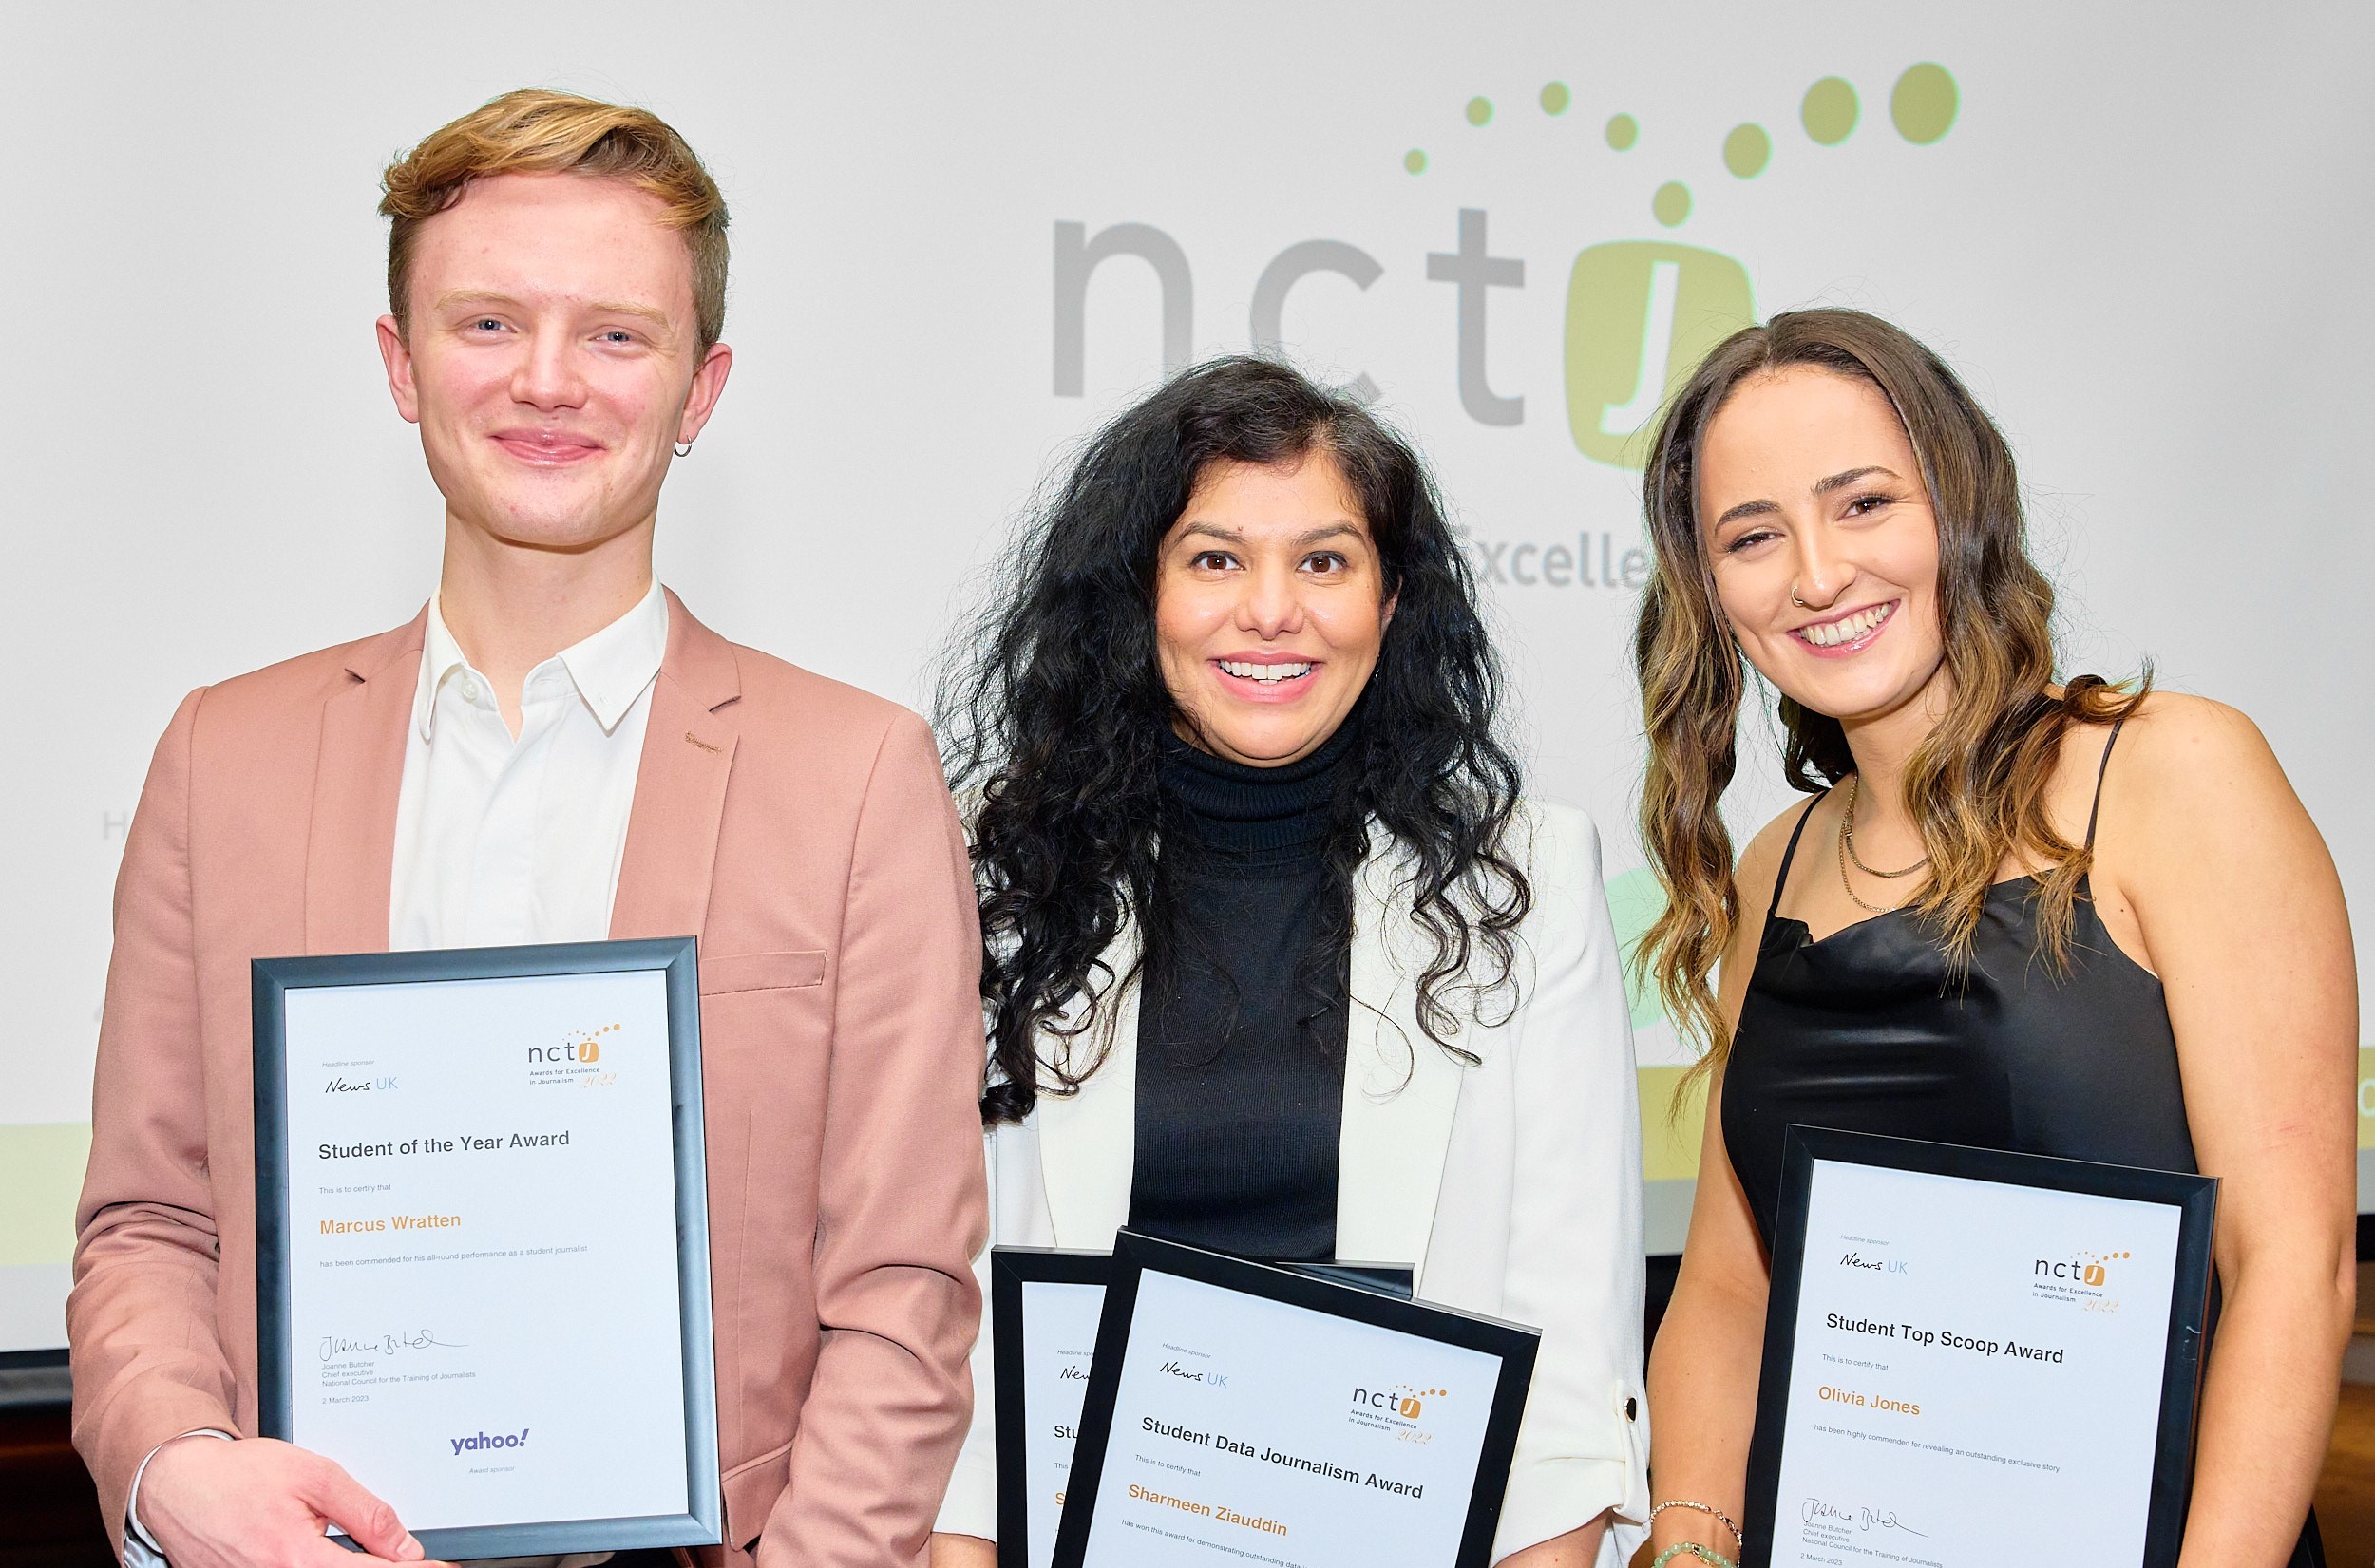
x=678, y=961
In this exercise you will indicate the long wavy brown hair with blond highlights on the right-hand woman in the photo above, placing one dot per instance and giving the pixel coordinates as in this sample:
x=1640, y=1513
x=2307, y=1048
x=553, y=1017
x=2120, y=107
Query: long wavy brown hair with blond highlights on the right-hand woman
x=1975, y=785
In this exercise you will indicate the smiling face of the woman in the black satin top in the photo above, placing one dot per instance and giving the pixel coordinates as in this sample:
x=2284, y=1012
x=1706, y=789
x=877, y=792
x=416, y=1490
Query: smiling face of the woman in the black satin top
x=1809, y=488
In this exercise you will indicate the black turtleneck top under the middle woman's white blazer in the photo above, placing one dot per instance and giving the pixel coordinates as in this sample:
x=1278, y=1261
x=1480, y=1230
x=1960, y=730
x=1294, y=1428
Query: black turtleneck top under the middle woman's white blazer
x=1241, y=1035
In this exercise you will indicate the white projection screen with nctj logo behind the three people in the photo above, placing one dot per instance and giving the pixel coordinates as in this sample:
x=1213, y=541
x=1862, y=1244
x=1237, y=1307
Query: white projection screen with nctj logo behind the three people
x=965, y=234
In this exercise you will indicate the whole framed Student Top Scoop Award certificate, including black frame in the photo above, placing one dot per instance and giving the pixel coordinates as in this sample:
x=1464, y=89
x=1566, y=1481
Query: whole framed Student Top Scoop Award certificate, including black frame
x=1970, y=1353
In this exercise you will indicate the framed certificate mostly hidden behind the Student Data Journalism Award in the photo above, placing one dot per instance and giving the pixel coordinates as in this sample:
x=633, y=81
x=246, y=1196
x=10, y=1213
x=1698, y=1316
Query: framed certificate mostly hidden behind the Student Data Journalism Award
x=1044, y=1339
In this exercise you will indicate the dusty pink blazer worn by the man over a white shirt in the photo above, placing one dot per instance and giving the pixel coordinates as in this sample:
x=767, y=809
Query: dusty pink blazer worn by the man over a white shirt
x=802, y=830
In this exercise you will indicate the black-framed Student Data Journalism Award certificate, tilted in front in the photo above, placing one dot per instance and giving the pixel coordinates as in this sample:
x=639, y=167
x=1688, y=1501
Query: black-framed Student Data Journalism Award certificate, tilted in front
x=1243, y=1412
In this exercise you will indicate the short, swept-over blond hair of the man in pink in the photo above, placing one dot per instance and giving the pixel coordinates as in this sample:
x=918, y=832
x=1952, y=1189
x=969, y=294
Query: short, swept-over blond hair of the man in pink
x=538, y=132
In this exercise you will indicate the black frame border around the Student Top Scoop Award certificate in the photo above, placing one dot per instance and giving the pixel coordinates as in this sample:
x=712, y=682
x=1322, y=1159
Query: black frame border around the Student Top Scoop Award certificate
x=2189, y=1308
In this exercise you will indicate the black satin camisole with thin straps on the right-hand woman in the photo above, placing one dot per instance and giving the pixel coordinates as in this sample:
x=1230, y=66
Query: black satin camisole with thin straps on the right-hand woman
x=1870, y=1032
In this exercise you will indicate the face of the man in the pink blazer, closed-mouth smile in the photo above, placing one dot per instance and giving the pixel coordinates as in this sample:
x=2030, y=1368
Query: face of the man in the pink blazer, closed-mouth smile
x=552, y=358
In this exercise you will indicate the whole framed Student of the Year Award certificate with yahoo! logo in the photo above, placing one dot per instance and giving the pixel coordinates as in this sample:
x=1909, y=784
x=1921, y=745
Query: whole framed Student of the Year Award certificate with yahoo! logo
x=483, y=1239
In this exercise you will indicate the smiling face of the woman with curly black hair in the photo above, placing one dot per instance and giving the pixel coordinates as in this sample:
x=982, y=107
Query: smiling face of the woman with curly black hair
x=1269, y=609
